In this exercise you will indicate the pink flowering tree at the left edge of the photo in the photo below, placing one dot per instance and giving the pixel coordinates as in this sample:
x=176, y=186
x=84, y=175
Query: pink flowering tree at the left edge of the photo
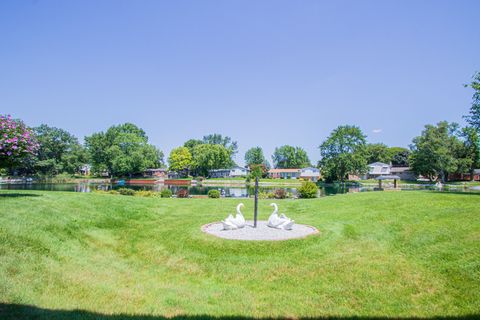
x=16, y=141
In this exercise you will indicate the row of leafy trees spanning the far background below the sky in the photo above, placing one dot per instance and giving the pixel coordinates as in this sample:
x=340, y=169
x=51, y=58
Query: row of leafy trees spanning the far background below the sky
x=124, y=150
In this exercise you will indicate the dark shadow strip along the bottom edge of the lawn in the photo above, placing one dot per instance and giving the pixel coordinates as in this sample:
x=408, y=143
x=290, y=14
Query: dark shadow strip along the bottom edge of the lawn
x=20, y=312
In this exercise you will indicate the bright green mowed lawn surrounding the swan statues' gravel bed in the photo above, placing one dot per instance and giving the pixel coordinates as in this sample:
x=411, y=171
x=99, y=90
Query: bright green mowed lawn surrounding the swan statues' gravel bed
x=99, y=256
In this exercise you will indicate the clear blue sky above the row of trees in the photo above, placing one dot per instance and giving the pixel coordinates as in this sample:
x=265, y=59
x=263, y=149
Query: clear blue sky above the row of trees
x=265, y=73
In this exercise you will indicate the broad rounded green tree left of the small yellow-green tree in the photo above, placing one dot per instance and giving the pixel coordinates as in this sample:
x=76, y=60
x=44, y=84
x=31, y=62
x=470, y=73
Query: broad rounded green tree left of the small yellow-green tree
x=122, y=150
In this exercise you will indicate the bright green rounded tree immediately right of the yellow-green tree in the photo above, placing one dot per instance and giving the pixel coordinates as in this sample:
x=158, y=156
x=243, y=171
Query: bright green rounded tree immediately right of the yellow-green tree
x=210, y=156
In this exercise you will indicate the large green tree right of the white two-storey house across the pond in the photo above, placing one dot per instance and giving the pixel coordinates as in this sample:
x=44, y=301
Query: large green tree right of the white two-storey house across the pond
x=435, y=151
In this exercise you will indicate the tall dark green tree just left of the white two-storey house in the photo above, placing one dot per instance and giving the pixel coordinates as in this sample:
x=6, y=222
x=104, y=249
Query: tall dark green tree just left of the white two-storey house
x=343, y=153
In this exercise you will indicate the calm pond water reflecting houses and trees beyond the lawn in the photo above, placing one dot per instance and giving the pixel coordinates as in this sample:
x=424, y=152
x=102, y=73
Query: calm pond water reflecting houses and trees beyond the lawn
x=226, y=191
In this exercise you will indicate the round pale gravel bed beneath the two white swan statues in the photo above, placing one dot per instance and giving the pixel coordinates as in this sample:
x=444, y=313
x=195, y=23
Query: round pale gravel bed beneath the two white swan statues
x=262, y=232
